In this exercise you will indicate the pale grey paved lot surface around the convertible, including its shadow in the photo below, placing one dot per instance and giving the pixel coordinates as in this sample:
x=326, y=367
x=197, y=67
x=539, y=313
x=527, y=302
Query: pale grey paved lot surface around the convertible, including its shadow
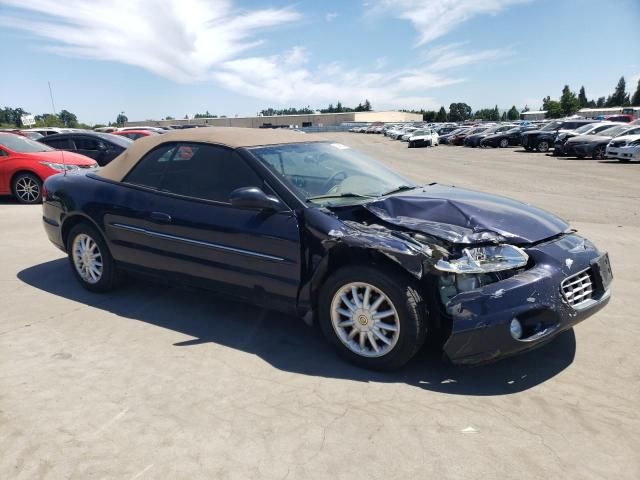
x=158, y=382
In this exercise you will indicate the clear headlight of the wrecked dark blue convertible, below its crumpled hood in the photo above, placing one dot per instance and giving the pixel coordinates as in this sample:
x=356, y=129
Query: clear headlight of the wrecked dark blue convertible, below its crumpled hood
x=485, y=259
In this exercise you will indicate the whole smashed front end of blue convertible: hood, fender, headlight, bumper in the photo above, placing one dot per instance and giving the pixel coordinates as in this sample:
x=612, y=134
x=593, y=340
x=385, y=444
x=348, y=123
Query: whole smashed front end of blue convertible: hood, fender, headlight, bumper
x=494, y=292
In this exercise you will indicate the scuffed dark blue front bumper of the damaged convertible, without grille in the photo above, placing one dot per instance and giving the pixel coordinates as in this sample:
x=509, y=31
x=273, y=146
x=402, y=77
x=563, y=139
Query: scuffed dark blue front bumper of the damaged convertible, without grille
x=481, y=318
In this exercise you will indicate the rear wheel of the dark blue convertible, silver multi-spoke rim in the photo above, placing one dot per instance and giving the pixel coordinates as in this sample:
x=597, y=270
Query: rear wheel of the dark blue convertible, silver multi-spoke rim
x=90, y=259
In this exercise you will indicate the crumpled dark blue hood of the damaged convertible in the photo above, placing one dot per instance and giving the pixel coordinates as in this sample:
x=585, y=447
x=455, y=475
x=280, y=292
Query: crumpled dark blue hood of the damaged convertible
x=463, y=216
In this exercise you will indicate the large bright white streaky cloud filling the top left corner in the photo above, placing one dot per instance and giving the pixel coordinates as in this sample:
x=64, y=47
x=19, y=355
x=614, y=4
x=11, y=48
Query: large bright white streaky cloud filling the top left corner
x=178, y=39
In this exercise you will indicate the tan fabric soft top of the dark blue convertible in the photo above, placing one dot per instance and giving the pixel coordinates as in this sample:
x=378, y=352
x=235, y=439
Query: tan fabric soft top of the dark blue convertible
x=118, y=168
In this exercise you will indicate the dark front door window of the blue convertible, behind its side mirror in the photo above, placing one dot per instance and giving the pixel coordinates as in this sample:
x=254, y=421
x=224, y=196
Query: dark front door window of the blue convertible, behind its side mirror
x=208, y=172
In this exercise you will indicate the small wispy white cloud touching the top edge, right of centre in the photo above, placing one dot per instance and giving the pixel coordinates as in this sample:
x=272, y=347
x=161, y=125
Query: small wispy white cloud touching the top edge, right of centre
x=435, y=18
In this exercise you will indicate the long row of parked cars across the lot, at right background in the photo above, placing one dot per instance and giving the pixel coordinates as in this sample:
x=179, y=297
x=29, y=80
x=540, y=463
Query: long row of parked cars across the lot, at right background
x=574, y=137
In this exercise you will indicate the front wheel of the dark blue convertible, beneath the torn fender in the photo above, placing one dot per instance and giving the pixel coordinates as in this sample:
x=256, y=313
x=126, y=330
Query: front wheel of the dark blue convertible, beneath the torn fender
x=376, y=320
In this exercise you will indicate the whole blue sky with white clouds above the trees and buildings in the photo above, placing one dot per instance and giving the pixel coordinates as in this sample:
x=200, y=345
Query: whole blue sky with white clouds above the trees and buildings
x=156, y=58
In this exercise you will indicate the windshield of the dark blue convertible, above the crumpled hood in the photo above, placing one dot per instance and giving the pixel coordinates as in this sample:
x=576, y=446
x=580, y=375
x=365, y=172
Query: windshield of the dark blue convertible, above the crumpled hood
x=331, y=170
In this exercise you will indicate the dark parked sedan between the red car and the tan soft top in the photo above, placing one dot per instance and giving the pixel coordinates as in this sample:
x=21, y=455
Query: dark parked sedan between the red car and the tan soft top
x=102, y=147
